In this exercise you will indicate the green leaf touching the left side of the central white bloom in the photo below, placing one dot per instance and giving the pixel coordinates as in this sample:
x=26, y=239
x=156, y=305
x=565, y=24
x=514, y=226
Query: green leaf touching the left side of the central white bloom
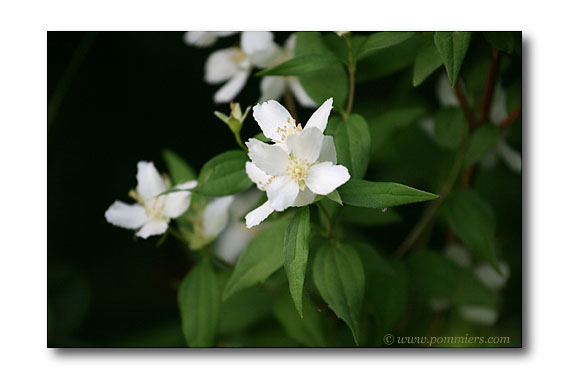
x=224, y=175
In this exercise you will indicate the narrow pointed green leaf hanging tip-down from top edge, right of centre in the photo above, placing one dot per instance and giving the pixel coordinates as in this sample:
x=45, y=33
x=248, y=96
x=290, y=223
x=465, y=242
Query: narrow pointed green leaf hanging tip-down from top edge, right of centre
x=452, y=47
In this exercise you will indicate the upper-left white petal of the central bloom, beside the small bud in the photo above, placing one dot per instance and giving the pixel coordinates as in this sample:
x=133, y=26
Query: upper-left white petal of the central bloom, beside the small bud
x=270, y=116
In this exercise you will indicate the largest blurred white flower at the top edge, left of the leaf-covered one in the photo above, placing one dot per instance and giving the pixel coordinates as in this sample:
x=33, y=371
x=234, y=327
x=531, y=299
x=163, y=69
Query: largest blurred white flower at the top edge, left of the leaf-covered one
x=233, y=65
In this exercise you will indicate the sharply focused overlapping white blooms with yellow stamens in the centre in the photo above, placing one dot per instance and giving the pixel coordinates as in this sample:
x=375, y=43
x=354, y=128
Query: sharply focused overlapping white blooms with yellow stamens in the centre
x=300, y=164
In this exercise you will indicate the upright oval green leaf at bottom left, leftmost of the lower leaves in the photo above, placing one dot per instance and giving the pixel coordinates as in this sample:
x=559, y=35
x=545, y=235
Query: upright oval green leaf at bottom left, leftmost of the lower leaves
x=199, y=303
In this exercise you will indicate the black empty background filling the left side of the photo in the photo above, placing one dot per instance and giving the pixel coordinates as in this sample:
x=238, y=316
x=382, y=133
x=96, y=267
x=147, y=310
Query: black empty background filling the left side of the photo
x=124, y=98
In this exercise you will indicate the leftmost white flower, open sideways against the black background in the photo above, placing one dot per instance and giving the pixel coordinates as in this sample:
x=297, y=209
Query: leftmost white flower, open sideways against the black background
x=153, y=212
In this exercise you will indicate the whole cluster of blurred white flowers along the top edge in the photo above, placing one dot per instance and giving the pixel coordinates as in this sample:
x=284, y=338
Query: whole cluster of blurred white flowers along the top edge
x=233, y=66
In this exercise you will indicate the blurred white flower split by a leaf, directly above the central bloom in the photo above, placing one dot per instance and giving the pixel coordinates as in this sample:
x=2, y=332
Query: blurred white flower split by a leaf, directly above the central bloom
x=273, y=87
